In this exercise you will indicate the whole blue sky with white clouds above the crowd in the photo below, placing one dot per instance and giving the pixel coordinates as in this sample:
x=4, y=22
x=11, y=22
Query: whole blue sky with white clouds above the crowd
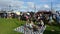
x=29, y=5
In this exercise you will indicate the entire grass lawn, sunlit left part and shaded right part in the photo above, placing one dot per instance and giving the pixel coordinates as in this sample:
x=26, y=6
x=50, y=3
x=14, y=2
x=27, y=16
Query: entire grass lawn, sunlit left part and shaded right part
x=7, y=26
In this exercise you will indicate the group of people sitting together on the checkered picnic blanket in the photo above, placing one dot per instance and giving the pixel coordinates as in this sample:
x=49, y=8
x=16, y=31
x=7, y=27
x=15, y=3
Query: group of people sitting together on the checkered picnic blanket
x=31, y=25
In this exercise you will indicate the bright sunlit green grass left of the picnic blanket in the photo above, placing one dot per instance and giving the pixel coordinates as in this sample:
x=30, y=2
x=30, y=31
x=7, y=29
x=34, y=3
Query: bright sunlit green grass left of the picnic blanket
x=7, y=25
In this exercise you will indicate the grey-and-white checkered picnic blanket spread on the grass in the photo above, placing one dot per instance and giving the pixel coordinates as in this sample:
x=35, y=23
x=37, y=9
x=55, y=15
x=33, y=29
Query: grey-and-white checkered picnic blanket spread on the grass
x=23, y=30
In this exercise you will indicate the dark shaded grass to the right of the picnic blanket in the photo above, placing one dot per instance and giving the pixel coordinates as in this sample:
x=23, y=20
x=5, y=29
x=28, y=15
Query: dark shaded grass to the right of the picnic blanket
x=55, y=27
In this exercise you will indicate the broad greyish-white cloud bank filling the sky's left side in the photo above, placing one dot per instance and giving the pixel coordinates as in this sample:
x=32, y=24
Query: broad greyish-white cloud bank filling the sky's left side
x=12, y=3
